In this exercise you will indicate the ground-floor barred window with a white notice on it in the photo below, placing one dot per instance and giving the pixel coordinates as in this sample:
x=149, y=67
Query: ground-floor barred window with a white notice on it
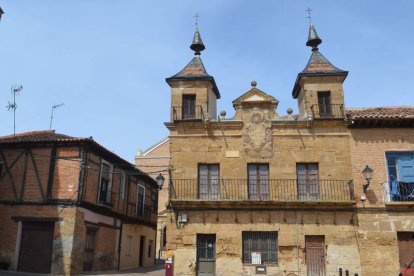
x=259, y=247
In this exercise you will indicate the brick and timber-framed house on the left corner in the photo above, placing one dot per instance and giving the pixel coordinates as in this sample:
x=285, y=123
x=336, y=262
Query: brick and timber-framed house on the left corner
x=80, y=206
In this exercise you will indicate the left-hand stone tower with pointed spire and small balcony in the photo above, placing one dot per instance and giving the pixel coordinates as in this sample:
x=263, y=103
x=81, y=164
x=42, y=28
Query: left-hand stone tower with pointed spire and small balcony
x=194, y=92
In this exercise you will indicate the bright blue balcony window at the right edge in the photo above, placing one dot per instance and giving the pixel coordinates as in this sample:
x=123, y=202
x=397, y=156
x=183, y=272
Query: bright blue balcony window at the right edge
x=400, y=167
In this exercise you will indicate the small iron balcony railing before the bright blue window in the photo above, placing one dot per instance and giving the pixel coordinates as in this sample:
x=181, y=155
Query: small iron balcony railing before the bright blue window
x=395, y=191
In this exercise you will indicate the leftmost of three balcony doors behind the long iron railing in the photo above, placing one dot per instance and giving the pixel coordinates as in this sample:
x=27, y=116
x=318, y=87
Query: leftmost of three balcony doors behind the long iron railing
x=208, y=181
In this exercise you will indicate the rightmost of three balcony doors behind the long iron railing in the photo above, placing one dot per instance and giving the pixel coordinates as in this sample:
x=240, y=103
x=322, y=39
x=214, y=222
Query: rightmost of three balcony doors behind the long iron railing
x=308, y=184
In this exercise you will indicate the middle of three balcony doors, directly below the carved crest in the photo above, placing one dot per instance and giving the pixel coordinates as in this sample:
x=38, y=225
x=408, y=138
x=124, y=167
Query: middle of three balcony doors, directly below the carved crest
x=258, y=178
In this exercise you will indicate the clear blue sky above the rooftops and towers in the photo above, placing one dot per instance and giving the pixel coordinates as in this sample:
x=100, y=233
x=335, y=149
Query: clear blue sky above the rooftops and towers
x=107, y=60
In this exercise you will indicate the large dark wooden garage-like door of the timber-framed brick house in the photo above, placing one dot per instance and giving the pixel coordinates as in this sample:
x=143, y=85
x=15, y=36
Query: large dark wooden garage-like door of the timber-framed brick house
x=36, y=247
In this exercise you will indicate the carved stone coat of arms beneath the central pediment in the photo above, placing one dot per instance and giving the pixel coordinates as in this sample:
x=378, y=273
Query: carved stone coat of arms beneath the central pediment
x=257, y=138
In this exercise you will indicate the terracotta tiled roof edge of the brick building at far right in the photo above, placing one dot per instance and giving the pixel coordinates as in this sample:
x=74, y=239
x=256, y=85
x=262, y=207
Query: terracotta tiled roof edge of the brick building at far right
x=393, y=112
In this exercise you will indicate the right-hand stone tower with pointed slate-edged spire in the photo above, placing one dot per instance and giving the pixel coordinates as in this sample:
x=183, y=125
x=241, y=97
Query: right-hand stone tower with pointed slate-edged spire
x=318, y=87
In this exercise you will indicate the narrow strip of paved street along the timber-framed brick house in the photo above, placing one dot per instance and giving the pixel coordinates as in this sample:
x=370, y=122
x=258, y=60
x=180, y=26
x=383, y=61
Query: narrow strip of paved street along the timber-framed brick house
x=156, y=270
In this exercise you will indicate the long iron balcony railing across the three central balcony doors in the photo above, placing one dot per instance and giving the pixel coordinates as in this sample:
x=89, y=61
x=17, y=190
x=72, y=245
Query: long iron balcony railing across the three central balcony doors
x=262, y=190
